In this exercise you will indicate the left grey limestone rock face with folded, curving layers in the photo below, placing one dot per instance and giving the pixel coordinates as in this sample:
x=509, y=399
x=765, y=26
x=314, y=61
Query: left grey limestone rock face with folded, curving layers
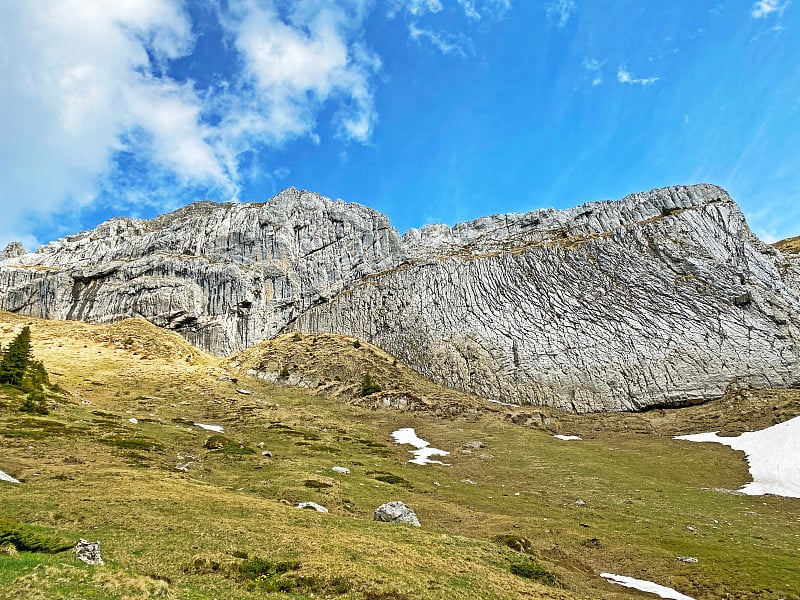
x=225, y=276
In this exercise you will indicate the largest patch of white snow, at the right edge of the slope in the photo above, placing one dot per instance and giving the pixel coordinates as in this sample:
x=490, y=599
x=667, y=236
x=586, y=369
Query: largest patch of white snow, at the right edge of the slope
x=771, y=453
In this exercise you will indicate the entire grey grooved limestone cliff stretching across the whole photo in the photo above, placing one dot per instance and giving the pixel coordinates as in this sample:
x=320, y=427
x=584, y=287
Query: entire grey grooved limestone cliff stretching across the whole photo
x=662, y=298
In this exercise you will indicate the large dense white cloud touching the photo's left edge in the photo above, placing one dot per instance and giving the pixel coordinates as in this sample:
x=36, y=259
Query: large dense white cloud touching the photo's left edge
x=78, y=78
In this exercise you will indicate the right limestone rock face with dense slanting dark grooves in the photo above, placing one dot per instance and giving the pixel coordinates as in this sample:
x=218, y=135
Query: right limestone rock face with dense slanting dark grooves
x=662, y=298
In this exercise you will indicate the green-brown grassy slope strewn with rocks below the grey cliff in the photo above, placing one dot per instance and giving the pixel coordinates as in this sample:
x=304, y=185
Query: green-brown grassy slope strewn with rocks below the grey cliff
x=88, y=472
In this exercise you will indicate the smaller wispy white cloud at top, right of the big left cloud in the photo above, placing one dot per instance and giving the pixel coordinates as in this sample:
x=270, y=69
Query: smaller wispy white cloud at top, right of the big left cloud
x=291, y=68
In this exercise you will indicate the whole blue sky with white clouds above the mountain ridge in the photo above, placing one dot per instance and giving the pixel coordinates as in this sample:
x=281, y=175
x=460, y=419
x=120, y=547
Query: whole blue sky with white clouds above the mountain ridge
x=427, y=110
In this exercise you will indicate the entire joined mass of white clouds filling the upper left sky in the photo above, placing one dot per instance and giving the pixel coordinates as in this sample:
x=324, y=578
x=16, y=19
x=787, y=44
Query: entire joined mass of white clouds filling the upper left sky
x=85, y=89
